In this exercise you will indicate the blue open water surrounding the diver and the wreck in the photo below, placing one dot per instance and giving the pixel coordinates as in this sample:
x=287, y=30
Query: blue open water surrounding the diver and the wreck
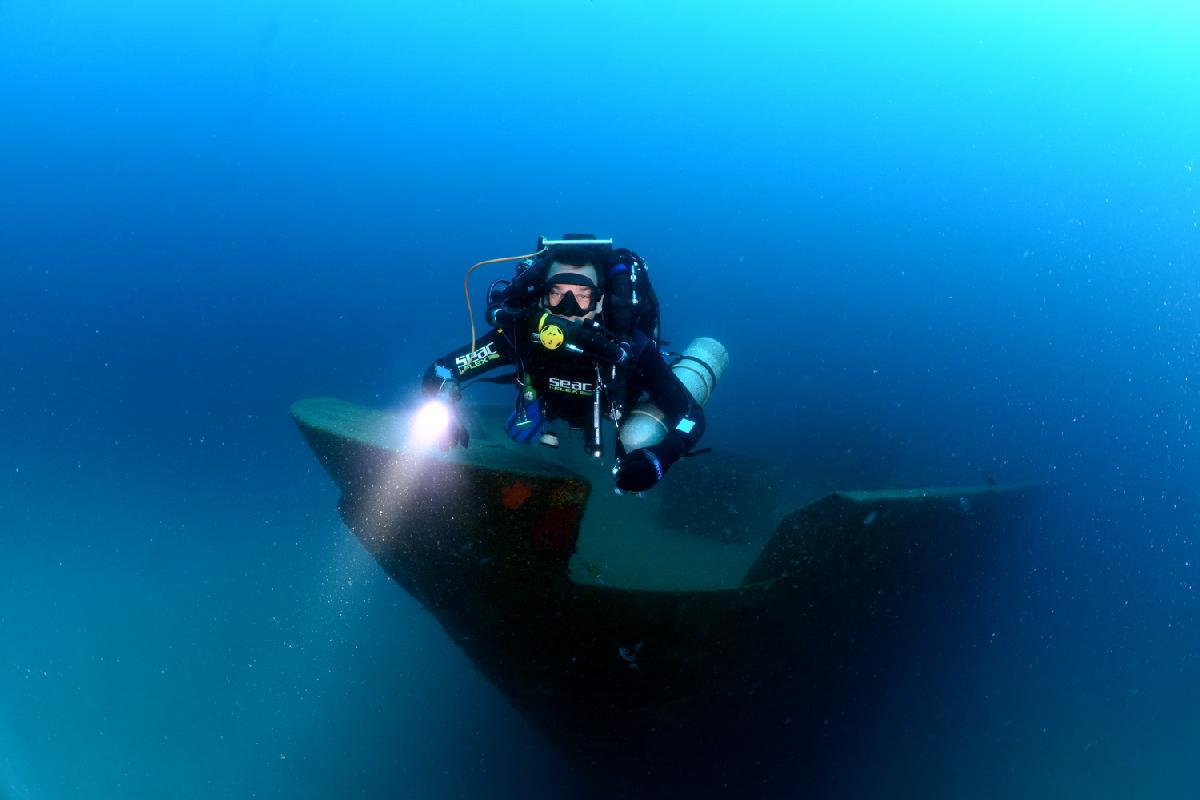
x=939, y=239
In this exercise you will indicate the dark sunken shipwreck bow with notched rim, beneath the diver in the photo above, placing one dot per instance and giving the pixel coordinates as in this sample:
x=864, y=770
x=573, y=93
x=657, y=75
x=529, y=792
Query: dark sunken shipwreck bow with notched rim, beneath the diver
x=652, y=654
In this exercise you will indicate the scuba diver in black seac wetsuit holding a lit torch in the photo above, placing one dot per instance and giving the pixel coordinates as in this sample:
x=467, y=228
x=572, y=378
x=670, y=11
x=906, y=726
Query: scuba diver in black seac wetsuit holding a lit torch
x=580, y=324
